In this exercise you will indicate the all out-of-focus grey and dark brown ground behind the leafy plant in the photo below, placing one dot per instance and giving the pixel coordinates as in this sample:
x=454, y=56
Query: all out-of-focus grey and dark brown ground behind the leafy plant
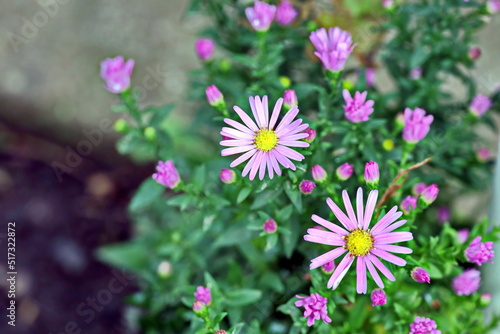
x=52, y=102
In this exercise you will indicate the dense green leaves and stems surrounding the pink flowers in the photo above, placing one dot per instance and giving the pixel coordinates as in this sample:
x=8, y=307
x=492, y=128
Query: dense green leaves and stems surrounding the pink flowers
x=211, y=233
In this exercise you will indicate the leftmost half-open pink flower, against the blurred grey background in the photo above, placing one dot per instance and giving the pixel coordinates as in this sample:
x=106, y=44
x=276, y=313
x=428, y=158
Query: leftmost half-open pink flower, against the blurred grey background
x=116, y=72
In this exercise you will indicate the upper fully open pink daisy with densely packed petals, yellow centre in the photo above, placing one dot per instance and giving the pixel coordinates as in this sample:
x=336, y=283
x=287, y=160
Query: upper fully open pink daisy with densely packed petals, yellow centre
x=263, y=142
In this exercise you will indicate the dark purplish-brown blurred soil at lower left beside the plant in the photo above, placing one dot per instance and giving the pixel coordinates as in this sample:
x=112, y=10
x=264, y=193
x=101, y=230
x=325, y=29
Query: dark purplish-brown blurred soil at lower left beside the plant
x=60, y=286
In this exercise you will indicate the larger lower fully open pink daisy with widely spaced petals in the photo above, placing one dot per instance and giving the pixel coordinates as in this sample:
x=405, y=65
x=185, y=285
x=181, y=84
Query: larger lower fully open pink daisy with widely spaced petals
x=359, y=241
